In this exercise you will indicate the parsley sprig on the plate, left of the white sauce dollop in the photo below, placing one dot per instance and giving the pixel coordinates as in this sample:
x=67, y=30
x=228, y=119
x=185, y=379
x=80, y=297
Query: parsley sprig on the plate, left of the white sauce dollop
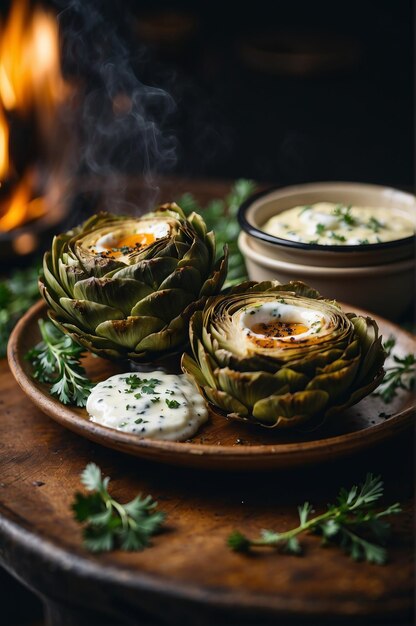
x=56, y=361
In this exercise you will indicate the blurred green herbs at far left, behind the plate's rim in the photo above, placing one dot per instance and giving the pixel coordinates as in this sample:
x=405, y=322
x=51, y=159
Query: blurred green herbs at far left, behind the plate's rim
x=17, y=294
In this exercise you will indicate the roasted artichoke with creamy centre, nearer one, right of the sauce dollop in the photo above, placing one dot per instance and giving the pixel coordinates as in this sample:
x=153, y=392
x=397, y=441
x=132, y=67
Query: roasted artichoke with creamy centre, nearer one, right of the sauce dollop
x=278, y=355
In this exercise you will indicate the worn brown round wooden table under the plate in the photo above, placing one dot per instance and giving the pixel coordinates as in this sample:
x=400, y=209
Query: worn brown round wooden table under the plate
x=188, y=575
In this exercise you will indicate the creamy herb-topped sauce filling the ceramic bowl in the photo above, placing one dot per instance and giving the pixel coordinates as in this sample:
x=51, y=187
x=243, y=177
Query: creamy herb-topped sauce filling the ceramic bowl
x=328, y=223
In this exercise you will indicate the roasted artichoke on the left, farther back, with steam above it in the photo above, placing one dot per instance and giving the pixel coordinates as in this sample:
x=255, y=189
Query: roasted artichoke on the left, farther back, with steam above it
x=125, y=287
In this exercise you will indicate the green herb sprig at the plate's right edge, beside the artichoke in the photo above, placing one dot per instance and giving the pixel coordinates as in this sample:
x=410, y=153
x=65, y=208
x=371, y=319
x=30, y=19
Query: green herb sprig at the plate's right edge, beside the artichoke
x=400, y=375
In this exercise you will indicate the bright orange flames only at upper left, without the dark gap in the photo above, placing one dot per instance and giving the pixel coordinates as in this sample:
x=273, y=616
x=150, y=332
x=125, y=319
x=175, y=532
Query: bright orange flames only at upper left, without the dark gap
x=30, y=81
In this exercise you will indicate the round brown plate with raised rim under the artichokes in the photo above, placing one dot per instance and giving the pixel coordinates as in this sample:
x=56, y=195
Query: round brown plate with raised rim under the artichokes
x=222, y=443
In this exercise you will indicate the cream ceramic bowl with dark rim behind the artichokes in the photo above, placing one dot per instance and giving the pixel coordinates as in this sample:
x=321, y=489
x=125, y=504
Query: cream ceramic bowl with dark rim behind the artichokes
x=377, y=276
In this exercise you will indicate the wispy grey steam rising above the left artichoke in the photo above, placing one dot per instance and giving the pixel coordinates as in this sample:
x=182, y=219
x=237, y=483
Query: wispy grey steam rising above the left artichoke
x=124, y=125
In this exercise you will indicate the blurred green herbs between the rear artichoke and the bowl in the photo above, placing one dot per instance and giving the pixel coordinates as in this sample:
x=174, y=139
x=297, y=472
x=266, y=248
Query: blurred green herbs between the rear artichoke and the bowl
x=224, y=212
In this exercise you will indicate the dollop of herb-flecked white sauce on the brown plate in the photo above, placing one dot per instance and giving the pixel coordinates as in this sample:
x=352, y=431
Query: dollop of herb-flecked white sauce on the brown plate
x=153, y=405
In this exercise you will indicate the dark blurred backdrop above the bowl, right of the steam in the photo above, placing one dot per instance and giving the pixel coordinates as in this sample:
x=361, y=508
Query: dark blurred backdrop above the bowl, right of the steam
x=279, y=92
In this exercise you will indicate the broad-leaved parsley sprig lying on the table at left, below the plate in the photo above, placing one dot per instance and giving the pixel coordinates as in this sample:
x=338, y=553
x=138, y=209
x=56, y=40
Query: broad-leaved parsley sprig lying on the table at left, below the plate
x=109, y=524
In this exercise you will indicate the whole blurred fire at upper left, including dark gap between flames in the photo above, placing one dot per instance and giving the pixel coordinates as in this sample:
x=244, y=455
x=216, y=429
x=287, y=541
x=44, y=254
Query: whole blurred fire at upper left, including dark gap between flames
x=34, y=137
